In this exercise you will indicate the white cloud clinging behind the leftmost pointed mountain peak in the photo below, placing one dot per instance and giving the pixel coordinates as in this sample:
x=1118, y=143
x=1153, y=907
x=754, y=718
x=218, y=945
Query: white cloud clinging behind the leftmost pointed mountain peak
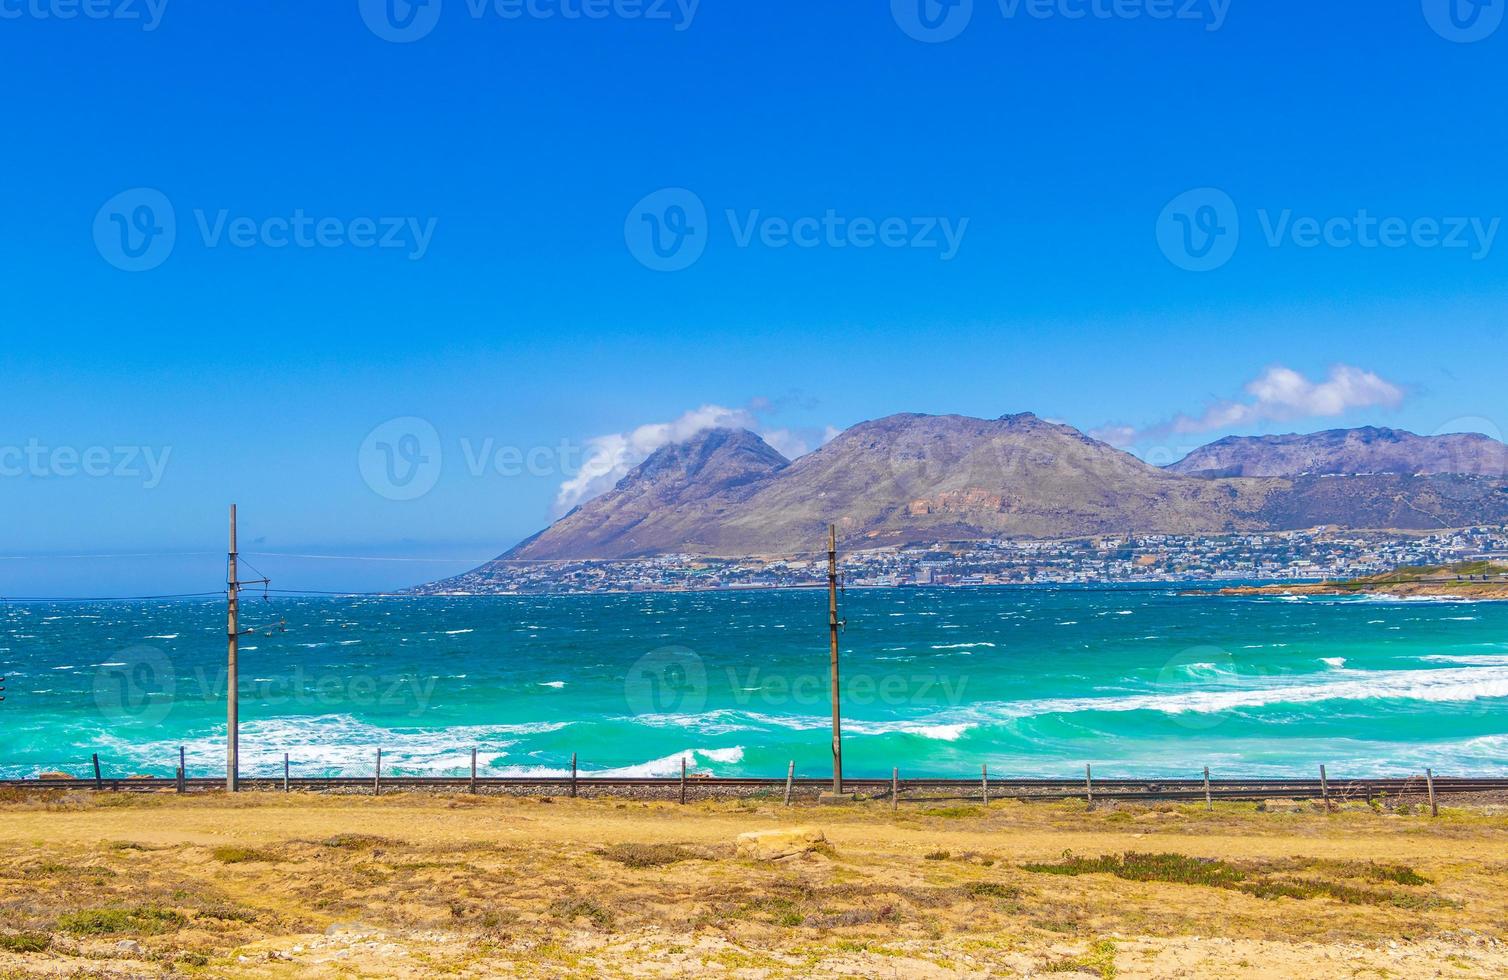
x=608, y=459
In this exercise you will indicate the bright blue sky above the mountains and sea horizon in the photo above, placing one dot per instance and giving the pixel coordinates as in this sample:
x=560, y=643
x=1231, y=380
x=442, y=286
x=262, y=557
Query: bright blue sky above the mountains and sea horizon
x=479, y=203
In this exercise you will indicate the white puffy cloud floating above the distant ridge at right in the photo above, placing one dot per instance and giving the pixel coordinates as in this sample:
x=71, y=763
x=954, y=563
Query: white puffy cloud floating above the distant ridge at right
x=1278, y=396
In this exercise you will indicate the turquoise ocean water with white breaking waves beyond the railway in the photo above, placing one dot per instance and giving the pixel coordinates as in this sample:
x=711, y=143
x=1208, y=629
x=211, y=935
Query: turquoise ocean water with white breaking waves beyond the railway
x=937, y=682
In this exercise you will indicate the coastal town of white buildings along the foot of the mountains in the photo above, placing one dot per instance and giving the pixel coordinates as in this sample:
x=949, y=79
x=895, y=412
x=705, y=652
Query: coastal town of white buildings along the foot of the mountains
x=1317, y=554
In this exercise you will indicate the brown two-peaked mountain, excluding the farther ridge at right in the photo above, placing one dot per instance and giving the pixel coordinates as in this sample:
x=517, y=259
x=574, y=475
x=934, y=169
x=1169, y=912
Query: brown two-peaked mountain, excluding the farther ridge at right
x=901, y=479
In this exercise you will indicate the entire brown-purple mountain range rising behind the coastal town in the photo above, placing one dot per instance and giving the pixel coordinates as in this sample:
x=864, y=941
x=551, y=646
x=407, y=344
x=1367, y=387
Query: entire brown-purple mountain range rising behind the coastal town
x=927, y=479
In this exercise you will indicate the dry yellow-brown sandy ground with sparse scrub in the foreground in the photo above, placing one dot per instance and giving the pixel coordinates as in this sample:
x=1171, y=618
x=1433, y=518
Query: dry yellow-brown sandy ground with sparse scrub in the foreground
x=271, y=886
